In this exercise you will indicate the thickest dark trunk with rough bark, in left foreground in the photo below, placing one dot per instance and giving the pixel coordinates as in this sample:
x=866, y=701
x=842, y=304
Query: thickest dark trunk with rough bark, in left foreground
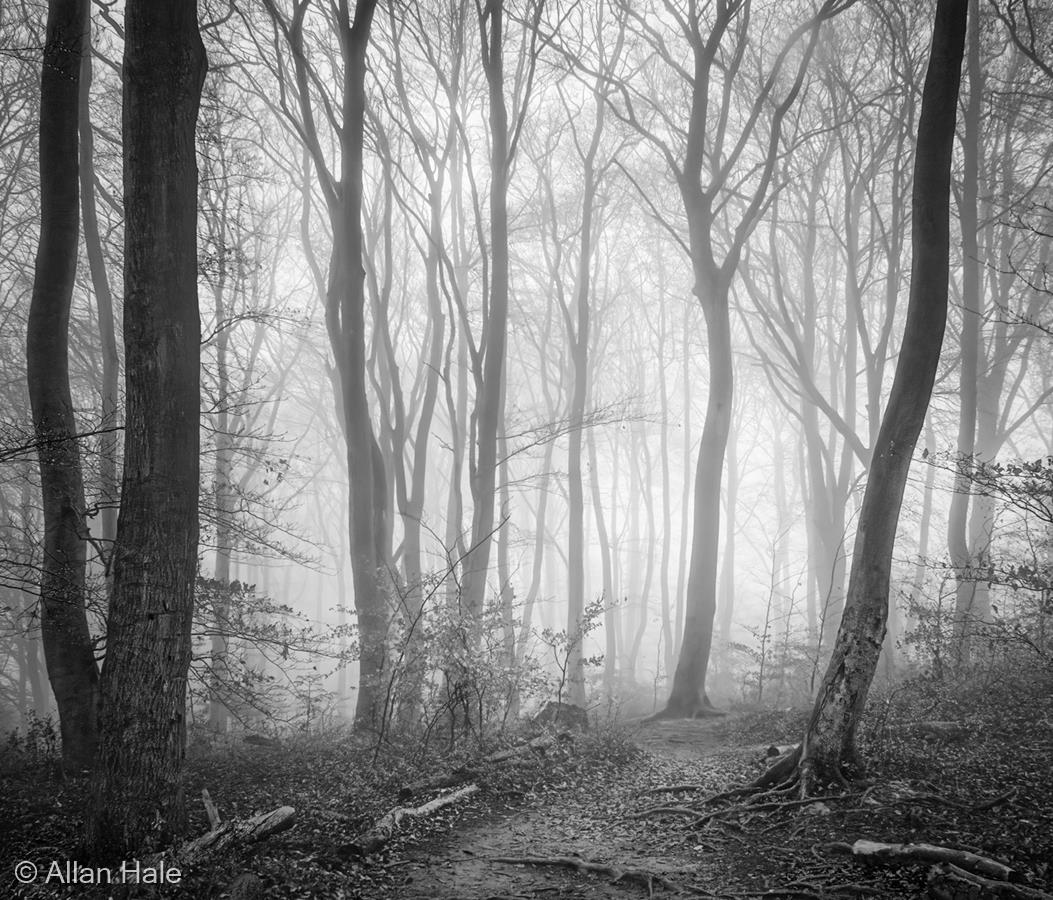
x=136, y=794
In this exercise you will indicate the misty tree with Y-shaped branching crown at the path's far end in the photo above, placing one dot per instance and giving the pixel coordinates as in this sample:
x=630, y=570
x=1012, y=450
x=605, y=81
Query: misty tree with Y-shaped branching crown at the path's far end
x=723, y=166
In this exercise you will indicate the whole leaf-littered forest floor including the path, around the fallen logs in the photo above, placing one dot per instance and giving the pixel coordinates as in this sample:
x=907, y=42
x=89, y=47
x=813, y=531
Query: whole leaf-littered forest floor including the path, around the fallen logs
x=575, y=816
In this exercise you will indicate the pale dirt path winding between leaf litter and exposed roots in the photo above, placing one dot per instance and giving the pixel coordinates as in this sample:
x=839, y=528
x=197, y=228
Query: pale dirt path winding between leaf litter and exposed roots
x=592, y=823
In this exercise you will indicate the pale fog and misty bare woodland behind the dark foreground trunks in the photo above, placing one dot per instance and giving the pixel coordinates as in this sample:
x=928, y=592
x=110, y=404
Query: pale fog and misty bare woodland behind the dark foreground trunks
x=545, y=351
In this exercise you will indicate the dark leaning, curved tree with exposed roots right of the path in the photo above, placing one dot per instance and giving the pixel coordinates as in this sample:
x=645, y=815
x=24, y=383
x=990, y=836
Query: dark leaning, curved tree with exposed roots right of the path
x=829, y=752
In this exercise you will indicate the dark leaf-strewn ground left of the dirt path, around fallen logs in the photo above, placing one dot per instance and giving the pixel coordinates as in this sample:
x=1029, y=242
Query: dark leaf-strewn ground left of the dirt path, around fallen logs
x=333, y=783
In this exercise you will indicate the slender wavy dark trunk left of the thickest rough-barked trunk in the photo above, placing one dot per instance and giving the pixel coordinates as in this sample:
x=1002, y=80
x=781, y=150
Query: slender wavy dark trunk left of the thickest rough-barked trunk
x=64, y=622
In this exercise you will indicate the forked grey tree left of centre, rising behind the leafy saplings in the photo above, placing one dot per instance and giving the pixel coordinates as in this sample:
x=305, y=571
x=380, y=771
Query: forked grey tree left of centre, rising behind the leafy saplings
x=346, y=302
